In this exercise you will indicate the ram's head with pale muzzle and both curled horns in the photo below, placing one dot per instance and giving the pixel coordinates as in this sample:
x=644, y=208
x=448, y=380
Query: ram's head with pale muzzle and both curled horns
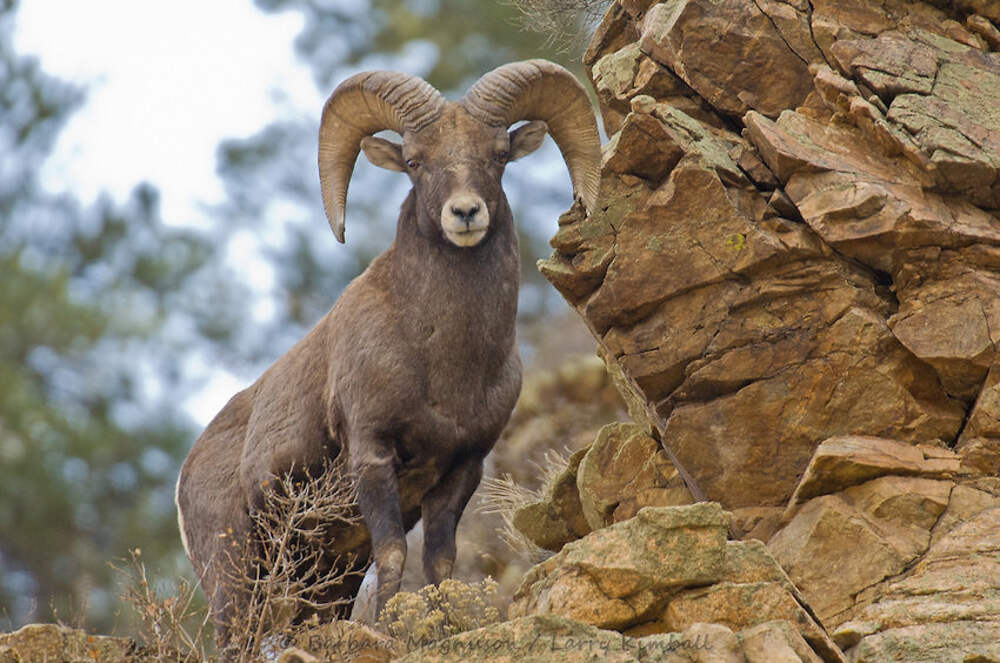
x=455, y=152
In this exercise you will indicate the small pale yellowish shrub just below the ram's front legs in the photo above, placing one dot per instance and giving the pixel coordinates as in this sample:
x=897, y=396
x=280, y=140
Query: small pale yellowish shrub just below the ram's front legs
x=435, y=613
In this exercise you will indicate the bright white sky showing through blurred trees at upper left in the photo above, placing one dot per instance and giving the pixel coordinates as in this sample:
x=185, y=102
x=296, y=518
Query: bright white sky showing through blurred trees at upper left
x=166, y=81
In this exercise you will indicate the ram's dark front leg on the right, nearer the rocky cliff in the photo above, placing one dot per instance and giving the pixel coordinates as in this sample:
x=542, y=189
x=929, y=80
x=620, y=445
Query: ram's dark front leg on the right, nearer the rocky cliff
x=441, y=509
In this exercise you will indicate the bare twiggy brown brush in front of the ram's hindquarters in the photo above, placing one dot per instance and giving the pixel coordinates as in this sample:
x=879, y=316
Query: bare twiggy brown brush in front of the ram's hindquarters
x=281, y=574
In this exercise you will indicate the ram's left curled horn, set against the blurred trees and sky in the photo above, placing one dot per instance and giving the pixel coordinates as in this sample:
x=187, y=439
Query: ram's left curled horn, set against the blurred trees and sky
x=365, y=104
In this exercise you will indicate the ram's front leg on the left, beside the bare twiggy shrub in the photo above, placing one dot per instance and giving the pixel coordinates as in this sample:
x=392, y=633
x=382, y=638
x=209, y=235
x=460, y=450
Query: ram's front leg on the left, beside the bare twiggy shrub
x=378, y=501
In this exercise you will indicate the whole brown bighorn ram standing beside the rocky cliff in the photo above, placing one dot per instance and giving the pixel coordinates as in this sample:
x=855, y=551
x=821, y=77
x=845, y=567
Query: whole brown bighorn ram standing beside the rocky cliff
x=414, y=372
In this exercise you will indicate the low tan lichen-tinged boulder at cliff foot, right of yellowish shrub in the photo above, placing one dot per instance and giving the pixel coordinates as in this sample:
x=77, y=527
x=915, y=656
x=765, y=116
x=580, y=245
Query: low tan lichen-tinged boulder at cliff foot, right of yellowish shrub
x=666, y=570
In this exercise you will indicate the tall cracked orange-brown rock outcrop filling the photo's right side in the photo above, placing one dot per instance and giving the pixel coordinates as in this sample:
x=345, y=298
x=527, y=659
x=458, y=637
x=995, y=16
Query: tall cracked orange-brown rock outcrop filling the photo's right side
x=794, y=276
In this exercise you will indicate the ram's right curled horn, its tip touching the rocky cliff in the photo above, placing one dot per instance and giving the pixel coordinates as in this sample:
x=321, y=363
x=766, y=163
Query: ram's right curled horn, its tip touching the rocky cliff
x=542, y=90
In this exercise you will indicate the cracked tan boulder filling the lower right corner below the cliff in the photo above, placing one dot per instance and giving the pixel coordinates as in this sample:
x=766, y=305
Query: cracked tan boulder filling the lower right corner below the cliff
x=893, y=547
